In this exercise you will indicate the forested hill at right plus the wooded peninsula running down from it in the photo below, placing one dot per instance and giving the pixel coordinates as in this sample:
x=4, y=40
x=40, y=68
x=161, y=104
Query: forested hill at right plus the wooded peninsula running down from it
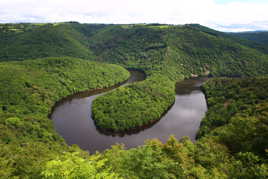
x=172, y=51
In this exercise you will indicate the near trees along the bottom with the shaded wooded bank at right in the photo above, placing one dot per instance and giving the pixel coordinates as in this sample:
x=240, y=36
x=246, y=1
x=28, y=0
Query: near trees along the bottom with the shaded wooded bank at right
x=232, y=144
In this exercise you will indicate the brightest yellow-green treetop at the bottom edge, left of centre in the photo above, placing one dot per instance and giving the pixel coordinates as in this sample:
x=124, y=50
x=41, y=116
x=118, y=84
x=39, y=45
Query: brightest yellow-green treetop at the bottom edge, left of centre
x=71, y=165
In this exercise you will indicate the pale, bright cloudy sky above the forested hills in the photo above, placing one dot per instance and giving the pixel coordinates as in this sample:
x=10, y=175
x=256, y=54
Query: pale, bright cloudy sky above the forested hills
x=224, y=15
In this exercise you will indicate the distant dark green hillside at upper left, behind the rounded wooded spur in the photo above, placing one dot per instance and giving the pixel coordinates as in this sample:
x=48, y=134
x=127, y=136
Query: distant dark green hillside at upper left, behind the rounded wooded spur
x=43, y=40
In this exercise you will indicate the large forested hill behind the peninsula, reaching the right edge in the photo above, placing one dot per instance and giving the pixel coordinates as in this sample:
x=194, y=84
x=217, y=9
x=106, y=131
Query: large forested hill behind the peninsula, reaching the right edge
x=178, y=51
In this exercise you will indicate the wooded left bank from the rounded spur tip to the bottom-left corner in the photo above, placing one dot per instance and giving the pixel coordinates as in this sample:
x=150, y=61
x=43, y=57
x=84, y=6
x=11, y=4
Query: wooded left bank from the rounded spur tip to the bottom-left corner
x=28, y=91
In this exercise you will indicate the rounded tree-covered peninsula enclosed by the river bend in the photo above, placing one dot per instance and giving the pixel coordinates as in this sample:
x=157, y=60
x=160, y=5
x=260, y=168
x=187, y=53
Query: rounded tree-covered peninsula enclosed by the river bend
x=135, y=105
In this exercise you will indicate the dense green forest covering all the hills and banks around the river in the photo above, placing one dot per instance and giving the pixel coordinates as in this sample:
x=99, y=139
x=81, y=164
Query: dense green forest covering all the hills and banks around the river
x=232, y=141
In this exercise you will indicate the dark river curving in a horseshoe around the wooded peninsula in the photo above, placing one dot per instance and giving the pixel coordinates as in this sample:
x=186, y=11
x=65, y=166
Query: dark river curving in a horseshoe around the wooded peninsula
x=72, y=119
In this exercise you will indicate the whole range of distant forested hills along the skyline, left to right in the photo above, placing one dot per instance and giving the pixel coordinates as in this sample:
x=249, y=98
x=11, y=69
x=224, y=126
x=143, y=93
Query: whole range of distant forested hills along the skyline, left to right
x=176, y=51
